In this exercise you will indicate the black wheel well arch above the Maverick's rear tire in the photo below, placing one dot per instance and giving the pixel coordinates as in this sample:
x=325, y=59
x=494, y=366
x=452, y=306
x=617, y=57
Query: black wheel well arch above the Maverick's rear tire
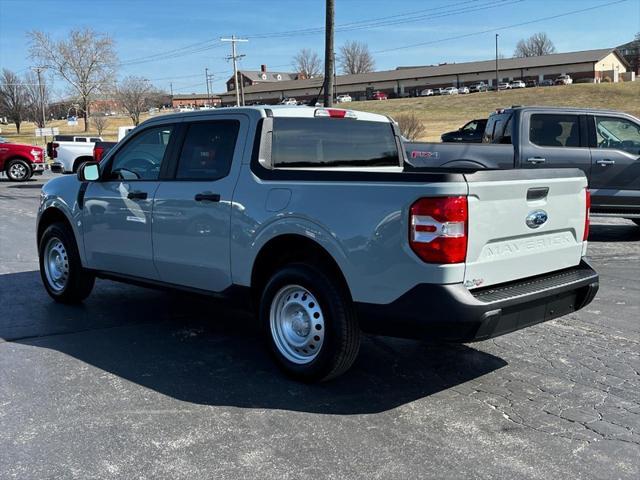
x=291, y=248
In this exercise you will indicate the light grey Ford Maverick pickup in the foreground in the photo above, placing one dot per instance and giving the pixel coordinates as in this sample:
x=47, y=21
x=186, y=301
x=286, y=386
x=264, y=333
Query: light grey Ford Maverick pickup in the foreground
x=438, y=255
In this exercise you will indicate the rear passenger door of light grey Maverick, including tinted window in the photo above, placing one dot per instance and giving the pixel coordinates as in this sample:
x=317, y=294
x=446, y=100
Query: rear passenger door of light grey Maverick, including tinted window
x=192, y=211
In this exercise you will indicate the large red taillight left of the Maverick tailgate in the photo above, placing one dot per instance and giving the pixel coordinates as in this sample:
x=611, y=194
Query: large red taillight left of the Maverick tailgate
x=438, y=229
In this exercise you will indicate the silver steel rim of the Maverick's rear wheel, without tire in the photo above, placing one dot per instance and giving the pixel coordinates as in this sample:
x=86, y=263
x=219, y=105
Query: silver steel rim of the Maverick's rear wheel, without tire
x=297, y=324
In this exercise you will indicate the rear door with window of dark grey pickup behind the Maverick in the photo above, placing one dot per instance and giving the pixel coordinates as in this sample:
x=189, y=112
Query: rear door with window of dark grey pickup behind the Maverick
x=554, y=140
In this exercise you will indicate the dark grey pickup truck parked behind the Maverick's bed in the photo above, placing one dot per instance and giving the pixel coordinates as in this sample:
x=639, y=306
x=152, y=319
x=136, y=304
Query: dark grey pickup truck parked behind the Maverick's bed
x=605, y=144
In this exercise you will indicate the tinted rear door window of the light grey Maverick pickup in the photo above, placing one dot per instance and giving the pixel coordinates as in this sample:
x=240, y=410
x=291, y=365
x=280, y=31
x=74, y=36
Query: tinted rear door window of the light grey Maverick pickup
x=207, y=151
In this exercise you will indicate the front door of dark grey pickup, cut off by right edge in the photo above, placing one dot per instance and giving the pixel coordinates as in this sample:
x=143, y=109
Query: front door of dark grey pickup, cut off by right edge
x=615, y=171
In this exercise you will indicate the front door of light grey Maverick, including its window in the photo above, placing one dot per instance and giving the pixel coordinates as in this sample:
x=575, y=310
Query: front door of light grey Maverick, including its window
x=117, y=209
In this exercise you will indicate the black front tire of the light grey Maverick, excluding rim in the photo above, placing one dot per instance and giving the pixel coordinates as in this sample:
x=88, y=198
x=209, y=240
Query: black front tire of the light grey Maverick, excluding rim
x=78, y=281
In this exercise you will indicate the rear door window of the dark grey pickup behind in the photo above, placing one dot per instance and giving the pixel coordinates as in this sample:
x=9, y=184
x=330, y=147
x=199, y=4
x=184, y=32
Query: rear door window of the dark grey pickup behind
x=550, y=130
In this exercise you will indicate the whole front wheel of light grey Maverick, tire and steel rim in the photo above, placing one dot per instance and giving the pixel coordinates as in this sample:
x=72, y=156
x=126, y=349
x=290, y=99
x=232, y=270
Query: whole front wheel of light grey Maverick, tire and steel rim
x=64, y=278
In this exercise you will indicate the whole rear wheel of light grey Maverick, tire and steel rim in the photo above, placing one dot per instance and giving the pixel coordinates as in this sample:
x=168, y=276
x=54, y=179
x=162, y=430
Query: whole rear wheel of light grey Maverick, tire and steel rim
x=309, y=323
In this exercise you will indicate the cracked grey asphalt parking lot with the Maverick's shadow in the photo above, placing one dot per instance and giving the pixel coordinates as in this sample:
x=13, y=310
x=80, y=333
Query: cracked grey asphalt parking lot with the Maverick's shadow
x=137, y=383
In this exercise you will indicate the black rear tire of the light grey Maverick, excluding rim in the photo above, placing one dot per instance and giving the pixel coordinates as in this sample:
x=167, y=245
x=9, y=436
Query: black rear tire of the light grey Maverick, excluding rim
x=341, y=336
